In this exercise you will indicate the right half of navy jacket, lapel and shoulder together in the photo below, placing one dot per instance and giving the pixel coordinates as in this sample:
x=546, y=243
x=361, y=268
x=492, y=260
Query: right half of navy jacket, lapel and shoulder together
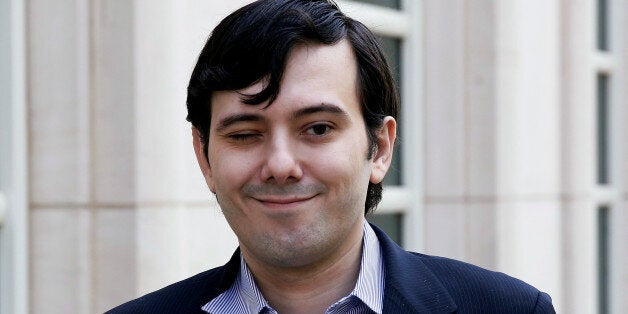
x=428, y=283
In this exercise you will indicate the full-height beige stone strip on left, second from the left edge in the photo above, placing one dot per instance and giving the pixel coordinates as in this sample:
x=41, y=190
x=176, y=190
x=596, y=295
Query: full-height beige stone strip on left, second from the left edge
x=112, y=151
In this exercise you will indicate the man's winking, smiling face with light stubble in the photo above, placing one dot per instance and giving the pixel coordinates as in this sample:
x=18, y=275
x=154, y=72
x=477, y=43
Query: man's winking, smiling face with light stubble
x=291, y=178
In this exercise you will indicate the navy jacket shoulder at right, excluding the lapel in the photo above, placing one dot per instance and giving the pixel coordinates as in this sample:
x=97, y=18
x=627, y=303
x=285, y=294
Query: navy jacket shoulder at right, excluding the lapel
x=474, y=287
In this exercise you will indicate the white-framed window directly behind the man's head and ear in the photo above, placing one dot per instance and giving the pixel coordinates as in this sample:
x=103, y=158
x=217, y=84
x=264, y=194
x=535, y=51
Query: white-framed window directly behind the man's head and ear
x=396, y=24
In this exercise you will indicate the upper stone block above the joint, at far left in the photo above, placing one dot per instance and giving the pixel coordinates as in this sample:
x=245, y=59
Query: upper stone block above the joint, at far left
x=57, y=112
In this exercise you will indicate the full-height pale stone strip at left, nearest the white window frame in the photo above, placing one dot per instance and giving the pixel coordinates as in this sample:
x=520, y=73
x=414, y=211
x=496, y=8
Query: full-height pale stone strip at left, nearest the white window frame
x=59, y=185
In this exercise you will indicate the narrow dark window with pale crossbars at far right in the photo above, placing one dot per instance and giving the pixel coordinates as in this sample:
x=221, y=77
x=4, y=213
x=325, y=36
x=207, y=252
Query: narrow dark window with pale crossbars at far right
x=607, y=189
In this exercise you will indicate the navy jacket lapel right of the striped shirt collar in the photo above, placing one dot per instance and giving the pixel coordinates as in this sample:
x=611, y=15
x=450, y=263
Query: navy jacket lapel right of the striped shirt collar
x=410, y=286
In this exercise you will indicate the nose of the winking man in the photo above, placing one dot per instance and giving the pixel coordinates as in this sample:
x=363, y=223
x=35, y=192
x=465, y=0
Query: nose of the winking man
x=281, y=166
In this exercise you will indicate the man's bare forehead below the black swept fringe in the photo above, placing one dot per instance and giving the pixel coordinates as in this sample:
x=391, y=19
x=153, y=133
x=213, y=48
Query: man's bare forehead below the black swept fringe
x=314, y=74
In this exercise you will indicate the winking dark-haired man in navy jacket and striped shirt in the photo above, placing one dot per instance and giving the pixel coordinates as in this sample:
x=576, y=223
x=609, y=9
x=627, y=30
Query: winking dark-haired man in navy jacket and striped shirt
x=293, y=110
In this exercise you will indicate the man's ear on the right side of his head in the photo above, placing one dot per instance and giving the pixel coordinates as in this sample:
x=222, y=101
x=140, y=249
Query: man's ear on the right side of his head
x=382, y=158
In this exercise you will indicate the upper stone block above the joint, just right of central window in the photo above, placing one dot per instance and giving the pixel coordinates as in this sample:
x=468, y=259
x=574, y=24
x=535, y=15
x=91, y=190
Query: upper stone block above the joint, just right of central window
x=444, y=96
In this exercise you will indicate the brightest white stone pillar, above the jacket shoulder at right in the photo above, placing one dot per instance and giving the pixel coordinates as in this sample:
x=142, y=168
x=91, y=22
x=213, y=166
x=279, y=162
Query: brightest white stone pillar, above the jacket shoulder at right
x=528, y=142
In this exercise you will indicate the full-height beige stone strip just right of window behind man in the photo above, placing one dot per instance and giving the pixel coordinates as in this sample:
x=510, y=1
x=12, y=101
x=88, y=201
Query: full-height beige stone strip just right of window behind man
x=444, y=211
